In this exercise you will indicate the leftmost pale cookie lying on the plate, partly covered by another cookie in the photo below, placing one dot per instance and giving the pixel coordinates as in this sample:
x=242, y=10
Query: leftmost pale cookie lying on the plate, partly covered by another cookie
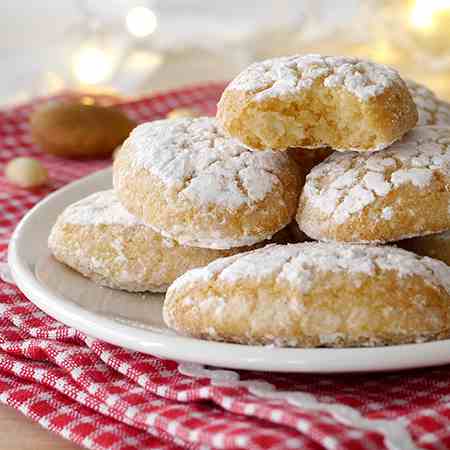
x=100, y=239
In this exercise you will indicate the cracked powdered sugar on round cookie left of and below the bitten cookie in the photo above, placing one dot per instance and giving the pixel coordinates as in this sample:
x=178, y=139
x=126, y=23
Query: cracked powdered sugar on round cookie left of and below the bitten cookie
x=191, y=156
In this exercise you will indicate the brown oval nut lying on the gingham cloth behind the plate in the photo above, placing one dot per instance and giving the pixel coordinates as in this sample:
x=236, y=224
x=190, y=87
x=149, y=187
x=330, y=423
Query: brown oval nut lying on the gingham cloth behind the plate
x=74, y=130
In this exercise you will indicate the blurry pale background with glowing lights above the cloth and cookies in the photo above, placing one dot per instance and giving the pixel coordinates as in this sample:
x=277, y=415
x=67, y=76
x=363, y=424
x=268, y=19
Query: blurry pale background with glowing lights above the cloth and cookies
x=133, y=47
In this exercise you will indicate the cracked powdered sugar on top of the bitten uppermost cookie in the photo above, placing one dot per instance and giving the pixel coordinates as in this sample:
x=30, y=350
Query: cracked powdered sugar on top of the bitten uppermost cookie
x=287, y=76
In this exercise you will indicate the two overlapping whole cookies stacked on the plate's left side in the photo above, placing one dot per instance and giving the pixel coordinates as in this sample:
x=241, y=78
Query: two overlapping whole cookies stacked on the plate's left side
x=184, y=195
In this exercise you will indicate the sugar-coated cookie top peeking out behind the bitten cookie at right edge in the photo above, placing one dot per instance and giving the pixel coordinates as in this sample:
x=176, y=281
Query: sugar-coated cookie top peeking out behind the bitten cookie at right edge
x=432, y=110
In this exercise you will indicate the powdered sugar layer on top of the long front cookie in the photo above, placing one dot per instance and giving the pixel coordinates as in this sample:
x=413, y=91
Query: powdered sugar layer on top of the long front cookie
x=297, y=265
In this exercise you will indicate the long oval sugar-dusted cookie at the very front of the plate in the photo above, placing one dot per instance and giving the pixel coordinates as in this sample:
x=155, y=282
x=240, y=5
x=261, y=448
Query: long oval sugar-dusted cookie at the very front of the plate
x=314, y=294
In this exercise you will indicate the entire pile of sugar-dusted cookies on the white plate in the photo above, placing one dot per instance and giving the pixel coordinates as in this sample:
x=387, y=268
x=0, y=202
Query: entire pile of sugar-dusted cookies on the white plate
x=188, y=191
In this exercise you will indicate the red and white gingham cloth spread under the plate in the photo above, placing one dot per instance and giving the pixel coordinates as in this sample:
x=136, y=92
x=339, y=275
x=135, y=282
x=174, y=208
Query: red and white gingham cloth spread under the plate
x=105, y=397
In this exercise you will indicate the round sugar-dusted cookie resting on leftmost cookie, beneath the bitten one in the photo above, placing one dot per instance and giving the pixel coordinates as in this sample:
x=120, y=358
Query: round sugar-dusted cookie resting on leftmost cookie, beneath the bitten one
x=191, y=183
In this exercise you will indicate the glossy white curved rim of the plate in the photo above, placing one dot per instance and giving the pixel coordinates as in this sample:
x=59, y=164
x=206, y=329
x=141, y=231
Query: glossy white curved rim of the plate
x=187, y=349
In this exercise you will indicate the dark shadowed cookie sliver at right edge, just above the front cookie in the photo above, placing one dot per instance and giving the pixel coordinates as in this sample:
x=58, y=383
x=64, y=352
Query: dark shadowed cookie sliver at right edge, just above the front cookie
x=434, y=245
